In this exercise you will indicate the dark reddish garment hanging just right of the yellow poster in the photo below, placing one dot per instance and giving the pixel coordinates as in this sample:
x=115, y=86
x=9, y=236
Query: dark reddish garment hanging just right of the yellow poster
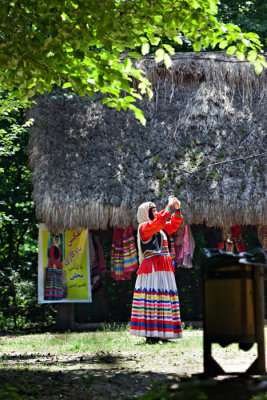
x=98, y=264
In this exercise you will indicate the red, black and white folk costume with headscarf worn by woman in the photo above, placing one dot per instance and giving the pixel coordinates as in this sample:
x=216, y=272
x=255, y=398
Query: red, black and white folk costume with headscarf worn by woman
x=155, y=309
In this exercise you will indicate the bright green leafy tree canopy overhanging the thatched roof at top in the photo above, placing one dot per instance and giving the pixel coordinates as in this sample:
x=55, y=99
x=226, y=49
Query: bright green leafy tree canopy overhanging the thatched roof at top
x=89, y=45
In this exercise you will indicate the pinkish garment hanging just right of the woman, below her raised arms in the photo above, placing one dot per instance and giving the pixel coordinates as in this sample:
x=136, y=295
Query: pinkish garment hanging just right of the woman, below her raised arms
x=184, y=246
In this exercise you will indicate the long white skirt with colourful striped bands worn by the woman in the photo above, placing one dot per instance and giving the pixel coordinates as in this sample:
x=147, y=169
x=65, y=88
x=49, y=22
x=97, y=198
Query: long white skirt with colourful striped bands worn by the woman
x=156, y=309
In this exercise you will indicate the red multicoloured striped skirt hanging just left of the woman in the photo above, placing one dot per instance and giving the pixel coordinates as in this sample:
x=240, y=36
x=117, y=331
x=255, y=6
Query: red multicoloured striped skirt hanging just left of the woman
x=123, y=254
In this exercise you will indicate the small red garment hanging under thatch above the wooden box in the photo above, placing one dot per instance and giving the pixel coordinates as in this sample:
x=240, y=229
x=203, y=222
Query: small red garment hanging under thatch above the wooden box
x=232, y=240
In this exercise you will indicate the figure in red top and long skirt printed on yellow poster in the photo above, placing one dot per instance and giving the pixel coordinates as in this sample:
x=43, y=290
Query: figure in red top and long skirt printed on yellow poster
x=53, y=289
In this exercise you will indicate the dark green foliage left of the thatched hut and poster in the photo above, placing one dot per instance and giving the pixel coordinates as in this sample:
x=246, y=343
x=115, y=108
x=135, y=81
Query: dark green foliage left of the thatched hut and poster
x=18, y=233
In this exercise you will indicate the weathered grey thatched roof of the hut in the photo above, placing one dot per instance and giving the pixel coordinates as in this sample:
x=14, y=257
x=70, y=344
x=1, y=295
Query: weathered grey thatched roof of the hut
x=205, y=141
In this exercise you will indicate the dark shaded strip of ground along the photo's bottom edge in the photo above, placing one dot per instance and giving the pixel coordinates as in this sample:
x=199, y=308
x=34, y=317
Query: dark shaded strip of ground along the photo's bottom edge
x=121, y=384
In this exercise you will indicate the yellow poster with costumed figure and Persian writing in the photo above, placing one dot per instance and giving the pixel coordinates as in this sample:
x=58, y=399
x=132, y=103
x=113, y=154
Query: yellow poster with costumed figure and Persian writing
x=63, y=266
